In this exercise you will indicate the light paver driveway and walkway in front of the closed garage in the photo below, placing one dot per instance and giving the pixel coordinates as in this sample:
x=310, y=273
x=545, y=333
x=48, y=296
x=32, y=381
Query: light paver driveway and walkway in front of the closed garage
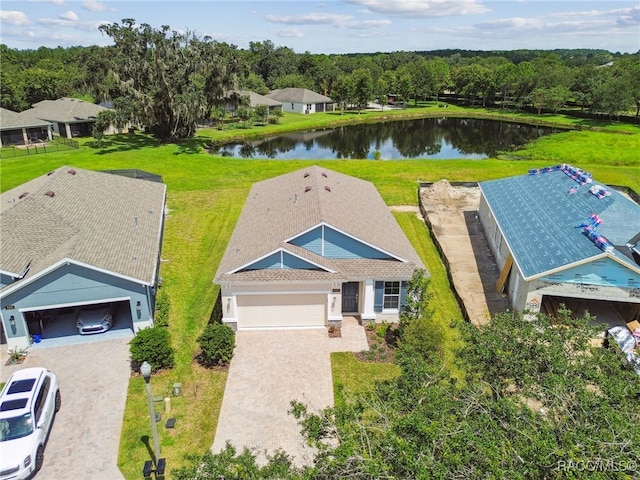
x=270, y=368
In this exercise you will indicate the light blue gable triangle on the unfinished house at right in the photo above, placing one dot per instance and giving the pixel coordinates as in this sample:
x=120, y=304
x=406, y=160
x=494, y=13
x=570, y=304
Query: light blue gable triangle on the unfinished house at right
x=604, y=272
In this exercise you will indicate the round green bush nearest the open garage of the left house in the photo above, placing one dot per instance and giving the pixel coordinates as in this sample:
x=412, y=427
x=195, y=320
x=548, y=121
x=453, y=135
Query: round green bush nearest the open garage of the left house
x=152, y=345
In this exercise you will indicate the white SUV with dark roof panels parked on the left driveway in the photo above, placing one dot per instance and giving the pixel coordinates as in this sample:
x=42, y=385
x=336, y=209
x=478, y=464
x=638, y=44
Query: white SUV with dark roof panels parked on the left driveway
x=28, y=403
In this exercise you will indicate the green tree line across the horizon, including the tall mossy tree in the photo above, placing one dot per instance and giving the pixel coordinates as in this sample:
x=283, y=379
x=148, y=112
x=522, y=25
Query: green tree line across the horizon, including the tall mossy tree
x=169, y=80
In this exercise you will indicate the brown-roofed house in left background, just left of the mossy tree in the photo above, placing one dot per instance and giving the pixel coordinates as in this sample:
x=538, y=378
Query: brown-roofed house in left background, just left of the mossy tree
x=70, y=117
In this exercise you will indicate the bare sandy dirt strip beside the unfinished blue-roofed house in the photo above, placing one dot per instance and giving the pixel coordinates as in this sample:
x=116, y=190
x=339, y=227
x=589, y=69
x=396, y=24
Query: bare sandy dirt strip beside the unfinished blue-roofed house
x=452, y=212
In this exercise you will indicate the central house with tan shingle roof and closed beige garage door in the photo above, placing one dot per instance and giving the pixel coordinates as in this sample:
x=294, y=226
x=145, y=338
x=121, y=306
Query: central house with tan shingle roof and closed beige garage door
x=311, y=246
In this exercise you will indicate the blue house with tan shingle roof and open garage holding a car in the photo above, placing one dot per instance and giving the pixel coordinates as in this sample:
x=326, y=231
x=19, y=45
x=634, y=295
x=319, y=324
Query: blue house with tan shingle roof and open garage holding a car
x=74, y=238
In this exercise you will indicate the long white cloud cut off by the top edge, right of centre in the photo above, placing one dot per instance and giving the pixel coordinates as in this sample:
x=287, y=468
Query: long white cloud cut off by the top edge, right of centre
x=422, y=8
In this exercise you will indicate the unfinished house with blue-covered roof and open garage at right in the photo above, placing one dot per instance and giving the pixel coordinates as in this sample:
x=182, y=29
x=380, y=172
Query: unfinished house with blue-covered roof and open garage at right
x=560, y=237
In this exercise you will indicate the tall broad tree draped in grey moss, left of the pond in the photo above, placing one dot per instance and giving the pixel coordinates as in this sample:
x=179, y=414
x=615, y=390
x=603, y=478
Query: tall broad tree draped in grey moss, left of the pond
x=170, y=79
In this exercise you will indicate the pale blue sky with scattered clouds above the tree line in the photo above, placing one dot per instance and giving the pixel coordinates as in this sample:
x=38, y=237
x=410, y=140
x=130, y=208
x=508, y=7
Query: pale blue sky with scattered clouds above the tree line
x=338, y=26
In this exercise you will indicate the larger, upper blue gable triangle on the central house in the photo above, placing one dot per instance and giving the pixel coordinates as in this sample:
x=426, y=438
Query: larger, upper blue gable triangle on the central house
x=336, y=245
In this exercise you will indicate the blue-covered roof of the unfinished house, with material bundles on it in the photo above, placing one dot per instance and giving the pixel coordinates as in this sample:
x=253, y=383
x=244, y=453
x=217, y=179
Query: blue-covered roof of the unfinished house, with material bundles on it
x=539, y=215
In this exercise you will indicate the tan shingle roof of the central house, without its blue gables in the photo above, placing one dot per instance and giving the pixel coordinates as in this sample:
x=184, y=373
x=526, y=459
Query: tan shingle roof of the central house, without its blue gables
x=283, y=207
